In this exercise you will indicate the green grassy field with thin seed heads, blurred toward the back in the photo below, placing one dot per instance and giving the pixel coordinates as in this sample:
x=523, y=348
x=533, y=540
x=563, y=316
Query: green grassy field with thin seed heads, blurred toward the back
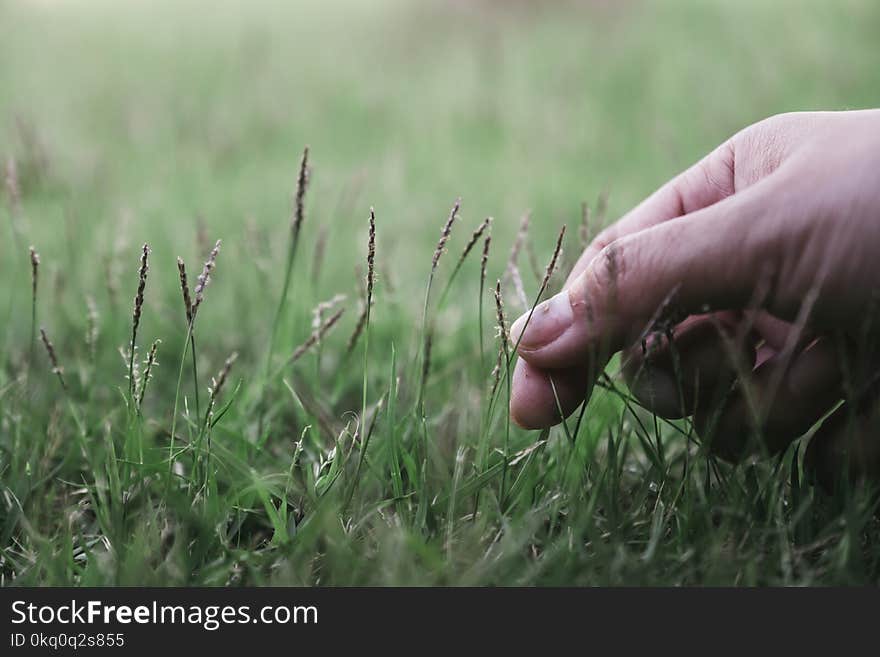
x=180, y=123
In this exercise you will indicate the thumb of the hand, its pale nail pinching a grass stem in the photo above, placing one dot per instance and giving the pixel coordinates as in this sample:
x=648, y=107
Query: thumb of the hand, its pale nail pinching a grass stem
x=711, y=259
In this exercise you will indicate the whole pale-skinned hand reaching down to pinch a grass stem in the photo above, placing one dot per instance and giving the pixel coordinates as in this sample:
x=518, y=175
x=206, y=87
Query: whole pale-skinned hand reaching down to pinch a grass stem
x=769, y=248
